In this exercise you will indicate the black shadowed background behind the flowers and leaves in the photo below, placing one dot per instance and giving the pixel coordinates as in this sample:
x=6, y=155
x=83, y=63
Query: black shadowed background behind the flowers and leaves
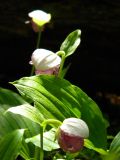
x=95, y=66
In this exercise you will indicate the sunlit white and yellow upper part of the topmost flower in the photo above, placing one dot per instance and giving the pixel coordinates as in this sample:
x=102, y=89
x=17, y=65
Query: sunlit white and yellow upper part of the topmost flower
x=39, y=17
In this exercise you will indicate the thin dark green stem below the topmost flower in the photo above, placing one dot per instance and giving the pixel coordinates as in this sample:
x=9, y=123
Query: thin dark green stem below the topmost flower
x=37, y=46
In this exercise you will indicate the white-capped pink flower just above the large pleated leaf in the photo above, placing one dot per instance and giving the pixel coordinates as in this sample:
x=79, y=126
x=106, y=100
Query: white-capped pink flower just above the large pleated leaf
x=45, y=61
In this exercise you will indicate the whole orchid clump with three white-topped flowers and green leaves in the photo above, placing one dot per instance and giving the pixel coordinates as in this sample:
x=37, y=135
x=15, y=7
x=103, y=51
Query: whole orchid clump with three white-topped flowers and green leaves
x=51, y=118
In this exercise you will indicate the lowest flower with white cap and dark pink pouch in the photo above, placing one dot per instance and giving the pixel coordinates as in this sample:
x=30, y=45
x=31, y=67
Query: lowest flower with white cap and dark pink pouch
x=71, y=134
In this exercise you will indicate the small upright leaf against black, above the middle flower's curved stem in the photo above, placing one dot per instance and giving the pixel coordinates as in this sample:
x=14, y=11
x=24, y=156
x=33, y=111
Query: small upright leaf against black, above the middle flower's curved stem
x=71, y=43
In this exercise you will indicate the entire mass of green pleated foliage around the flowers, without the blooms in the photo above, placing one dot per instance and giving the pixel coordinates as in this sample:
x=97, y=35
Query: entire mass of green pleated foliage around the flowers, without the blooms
x=29, y=123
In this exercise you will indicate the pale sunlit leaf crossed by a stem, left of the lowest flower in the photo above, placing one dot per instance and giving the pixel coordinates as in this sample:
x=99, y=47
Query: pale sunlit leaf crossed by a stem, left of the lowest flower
x=49, y=142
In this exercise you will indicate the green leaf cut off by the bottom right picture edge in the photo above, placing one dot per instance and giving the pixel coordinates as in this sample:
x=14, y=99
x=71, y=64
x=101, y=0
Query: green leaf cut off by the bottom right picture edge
x=115, y=147
